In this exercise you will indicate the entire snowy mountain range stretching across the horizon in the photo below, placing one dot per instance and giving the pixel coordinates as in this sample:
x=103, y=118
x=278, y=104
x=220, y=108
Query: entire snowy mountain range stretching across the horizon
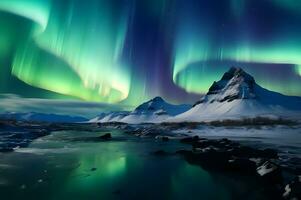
x=235, y=96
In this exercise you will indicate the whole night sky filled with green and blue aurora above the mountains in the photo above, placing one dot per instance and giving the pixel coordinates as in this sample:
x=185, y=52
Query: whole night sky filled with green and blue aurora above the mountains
x=131, y=50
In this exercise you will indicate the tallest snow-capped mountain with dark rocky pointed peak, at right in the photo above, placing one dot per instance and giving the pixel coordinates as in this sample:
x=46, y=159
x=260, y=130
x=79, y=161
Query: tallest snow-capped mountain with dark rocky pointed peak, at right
x=235, y=96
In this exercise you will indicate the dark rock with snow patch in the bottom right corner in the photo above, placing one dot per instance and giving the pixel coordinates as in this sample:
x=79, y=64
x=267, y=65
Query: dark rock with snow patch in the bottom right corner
x=293, y=189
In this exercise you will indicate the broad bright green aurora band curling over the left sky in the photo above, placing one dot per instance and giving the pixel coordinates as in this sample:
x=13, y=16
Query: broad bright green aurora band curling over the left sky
x=72, y=61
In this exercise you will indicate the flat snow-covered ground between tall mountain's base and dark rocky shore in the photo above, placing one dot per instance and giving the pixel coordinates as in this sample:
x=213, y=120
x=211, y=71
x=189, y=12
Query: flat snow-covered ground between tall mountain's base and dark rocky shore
x=286, y=139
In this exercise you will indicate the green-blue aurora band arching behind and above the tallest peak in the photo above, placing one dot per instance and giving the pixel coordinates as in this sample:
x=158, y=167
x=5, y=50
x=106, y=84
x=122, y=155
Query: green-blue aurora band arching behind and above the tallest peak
x=201, y=47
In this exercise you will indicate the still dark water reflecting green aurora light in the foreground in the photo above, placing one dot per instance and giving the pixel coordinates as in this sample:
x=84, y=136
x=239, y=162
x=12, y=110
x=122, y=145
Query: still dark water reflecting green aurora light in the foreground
x=64, y=165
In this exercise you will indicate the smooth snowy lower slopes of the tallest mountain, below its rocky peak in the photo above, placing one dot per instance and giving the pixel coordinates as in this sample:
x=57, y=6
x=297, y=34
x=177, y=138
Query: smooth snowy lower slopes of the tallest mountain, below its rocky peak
x=234, y=110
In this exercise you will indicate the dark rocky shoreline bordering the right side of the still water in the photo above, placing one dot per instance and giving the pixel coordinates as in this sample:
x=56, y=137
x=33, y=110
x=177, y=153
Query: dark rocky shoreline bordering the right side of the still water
x=226, y=156
